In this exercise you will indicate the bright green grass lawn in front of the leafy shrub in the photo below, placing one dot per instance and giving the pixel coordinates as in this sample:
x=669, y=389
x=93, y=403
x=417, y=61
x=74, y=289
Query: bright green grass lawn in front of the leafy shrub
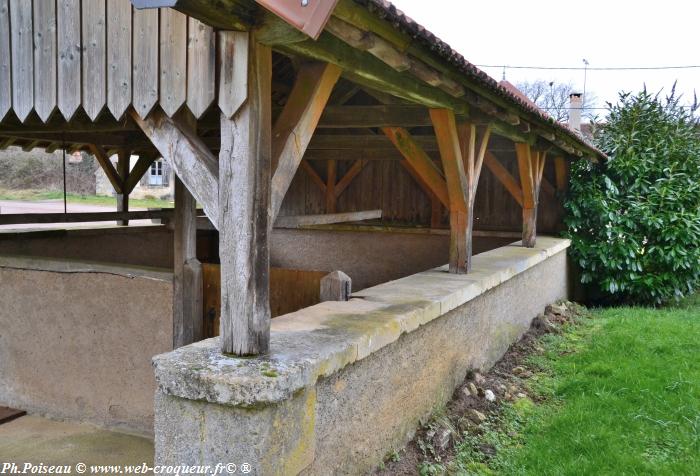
x=621, y=395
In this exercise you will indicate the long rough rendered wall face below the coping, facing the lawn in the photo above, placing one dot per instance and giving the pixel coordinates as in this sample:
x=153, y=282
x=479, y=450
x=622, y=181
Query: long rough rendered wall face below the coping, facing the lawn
x=378, y=403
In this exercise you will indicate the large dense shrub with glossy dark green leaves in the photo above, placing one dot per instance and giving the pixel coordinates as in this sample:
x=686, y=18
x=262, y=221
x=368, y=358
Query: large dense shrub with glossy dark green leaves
x=634, y=221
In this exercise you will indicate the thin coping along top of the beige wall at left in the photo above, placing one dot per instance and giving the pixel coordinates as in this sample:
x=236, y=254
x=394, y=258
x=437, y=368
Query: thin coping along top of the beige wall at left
x=60, y=265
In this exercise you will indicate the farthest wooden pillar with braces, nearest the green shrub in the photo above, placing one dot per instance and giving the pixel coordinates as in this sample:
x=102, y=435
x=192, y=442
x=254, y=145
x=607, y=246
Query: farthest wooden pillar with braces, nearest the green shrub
x=530, y=168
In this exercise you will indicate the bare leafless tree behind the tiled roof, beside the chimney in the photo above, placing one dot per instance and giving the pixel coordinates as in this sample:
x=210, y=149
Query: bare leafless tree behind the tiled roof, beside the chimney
x=553, y=98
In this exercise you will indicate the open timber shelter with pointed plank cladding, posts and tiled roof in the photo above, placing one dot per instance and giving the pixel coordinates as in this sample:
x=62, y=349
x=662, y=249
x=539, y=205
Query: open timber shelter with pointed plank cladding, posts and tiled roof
x=267, y=110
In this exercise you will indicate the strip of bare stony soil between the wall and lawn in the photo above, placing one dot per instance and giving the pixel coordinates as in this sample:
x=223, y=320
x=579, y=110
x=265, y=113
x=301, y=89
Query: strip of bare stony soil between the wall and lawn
x=478, y=398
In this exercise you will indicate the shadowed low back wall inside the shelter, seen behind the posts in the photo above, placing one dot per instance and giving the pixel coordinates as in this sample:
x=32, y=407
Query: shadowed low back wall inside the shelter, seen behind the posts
x=369, y=258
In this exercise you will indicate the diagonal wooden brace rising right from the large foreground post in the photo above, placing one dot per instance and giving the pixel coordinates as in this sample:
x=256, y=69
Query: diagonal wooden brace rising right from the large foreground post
x=296, y=124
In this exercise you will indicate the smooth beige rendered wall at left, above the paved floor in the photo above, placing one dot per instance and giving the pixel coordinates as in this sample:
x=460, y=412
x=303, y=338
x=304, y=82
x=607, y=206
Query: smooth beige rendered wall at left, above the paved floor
x=76, y=340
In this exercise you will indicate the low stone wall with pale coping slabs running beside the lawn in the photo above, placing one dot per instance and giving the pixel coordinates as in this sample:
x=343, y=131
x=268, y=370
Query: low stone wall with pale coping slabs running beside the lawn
x=345, y=383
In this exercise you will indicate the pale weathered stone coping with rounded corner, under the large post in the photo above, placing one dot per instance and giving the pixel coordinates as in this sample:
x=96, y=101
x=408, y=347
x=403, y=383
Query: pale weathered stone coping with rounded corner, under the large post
x=320, y=340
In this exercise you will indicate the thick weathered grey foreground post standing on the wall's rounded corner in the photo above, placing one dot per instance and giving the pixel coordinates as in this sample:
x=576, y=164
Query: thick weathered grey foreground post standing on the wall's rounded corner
x=244, y=202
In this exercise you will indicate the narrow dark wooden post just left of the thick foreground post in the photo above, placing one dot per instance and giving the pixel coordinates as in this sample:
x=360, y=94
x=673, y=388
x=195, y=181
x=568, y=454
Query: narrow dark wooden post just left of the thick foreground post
x=187, y=279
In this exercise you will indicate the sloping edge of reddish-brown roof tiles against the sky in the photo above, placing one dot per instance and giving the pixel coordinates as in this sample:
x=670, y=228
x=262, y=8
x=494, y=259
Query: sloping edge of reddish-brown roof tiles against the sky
x=388, y=12
